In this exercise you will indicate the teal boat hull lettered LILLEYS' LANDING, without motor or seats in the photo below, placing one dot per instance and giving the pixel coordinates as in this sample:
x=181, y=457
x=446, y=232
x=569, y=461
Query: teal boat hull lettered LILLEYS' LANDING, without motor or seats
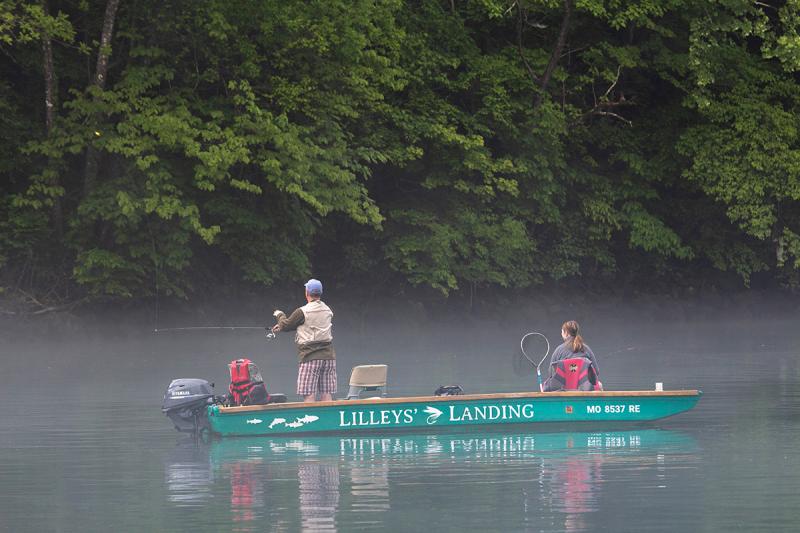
x=428, y=413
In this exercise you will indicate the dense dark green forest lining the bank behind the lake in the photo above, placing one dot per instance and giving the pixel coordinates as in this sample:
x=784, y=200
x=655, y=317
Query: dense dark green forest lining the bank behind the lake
x=195, y=149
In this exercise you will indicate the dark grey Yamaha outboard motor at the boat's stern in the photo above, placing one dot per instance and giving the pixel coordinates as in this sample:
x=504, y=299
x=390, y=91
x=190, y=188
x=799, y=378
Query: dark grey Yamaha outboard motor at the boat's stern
x=186, y=402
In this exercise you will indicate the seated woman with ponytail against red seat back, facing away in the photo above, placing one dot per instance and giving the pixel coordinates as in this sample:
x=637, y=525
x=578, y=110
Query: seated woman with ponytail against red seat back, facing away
x=573, y=365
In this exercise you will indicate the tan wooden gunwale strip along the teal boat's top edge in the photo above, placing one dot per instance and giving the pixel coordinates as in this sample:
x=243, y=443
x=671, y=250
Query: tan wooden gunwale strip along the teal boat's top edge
x=222, y=410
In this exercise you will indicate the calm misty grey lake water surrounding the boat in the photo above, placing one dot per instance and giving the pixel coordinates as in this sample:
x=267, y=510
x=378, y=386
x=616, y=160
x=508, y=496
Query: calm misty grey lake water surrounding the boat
x=85, y=447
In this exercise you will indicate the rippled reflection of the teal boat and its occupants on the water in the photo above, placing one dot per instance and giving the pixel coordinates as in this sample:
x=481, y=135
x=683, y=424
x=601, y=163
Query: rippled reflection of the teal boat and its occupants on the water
x=330, y=483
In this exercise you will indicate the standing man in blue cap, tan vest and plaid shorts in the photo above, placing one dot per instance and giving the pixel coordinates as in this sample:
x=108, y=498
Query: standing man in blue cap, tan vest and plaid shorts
x=313, y=328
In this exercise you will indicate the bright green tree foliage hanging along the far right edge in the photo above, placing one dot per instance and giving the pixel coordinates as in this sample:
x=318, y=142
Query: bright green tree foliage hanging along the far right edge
x=745, y=150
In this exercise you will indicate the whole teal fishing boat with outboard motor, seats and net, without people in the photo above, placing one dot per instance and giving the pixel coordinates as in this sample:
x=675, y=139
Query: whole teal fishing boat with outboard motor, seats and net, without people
x=193, y=407
